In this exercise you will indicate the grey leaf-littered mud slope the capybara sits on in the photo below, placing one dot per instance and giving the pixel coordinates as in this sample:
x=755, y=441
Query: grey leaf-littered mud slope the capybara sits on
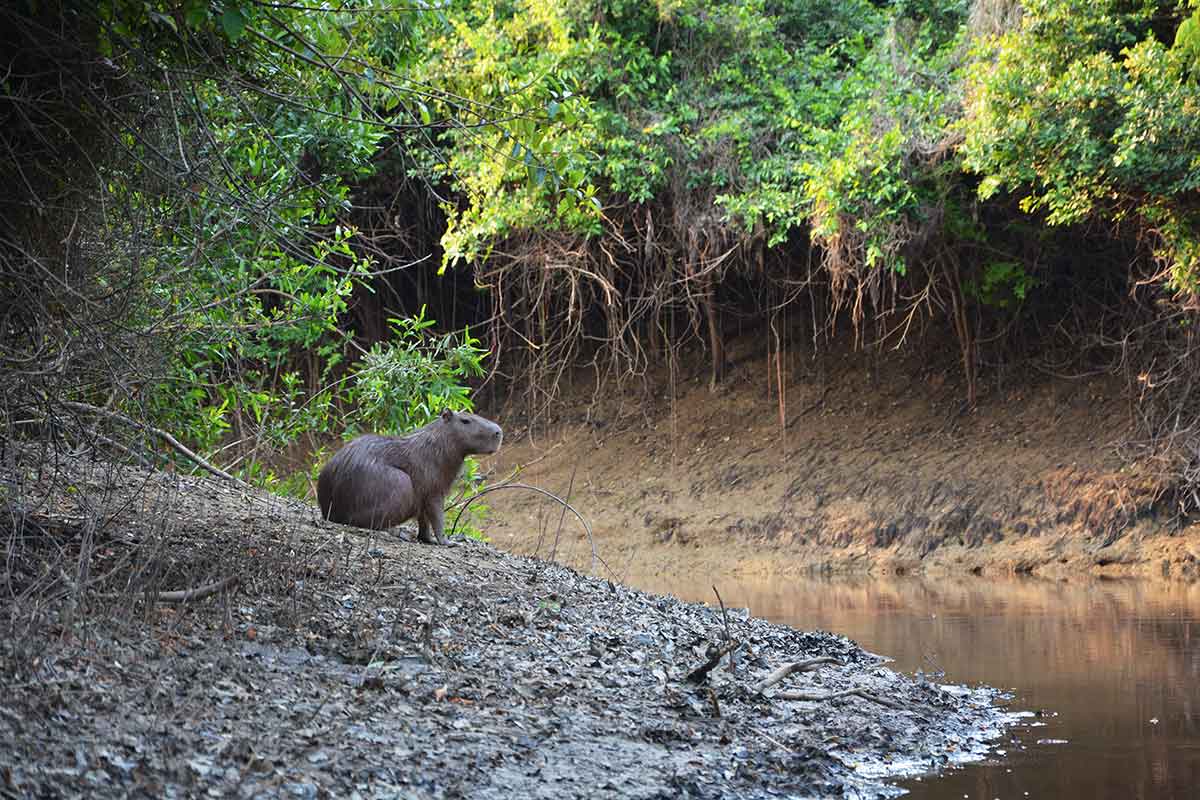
x=347, y=665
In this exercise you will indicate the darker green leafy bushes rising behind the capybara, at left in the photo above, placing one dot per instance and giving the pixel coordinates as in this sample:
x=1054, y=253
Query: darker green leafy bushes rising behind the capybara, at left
x=266, y=118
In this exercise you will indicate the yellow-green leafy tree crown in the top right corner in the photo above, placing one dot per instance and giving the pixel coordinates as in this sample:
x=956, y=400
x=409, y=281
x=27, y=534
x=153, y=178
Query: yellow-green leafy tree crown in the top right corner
x=1087, y=111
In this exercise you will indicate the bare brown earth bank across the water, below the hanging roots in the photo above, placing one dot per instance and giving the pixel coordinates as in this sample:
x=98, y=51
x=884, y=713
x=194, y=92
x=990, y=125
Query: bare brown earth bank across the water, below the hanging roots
x=872, y=464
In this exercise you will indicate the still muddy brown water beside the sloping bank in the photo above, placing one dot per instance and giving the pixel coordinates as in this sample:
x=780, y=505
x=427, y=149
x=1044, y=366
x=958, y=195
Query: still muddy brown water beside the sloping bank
x=1112, y=670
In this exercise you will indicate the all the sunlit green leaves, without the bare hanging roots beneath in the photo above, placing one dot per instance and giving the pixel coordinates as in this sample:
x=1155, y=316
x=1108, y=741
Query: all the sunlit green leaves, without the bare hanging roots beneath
x=765, y=121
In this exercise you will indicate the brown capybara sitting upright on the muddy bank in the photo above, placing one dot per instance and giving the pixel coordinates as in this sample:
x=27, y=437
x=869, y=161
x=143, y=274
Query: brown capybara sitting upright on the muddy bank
x=381, y=482
